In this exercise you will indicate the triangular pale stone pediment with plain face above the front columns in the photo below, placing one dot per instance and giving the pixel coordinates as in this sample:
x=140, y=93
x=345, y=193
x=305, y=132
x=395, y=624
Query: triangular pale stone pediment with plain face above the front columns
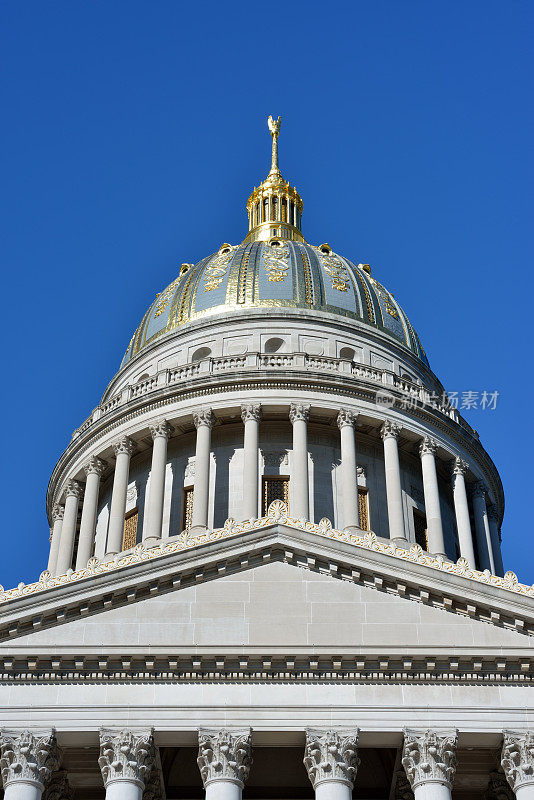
x=278, y=596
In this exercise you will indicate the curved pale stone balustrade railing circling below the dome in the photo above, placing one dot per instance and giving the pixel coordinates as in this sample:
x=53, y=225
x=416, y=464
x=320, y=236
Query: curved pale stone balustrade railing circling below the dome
x=412, y=394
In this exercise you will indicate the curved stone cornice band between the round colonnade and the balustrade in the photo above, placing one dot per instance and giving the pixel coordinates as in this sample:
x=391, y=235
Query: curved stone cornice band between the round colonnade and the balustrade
x=245, y=380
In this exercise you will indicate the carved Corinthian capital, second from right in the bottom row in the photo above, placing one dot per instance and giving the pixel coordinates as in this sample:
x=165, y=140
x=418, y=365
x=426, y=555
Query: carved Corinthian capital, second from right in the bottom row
x=430, y=757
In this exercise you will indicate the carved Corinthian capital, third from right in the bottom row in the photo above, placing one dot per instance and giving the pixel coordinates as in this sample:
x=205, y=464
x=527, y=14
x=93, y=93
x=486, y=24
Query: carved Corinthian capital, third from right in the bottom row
x=331, y=755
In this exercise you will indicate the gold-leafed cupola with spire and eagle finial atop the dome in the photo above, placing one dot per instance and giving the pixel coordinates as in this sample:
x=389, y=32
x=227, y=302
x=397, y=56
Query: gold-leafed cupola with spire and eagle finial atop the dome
x=275, y=207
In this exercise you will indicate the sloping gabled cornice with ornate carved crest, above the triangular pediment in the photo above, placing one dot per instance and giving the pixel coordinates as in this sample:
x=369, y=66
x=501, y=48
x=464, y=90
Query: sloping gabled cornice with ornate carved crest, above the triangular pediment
x=186, y=561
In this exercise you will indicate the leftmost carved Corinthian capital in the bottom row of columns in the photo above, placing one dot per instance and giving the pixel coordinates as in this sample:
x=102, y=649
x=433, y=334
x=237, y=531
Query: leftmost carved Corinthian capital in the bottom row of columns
x=29, y=756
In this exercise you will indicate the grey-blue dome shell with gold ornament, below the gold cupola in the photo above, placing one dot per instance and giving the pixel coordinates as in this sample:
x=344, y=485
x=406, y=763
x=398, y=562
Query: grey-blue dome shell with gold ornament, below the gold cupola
x=278, y=273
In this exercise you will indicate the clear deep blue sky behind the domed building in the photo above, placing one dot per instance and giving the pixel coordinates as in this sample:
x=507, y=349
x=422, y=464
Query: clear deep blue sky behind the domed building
x=133, y=132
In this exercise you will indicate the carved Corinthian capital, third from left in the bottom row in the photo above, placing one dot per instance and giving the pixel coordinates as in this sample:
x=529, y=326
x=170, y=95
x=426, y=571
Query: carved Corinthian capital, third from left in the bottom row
x=224, y=755
